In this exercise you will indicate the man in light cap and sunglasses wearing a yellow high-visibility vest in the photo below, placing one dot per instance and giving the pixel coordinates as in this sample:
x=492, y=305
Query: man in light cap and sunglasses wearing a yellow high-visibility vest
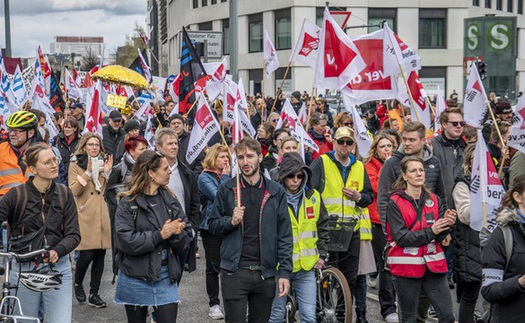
x=346, y=191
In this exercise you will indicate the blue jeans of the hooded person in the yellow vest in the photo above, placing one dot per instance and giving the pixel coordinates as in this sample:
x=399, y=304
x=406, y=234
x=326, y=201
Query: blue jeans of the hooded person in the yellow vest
x=304, y=284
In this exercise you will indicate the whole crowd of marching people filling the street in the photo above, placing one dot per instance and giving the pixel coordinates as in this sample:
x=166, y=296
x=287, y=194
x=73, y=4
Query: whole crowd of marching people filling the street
x=264, y=231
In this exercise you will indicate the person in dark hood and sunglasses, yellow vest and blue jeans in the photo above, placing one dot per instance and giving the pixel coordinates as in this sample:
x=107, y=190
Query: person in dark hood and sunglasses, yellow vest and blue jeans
x=309, y=221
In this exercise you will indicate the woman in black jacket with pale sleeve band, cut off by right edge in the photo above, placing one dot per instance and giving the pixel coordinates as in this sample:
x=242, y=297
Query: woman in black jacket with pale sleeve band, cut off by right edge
x=503, y=258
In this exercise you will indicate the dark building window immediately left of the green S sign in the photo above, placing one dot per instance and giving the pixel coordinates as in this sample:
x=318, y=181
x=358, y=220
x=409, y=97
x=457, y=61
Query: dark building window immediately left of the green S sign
x=432, y=28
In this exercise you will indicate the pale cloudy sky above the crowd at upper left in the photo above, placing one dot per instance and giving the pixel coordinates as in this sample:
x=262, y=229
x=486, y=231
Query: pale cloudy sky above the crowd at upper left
x=37, y=22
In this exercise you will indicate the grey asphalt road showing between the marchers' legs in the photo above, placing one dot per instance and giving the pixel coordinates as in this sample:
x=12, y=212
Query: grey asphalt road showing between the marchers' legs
x=194, y=300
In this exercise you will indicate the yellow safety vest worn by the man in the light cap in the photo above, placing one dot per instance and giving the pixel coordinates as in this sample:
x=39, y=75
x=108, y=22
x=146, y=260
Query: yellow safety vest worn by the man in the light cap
x=337, y=203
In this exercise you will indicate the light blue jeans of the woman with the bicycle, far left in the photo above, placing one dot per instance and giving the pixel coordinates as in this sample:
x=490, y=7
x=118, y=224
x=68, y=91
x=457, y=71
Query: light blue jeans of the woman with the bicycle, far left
x=57, y=303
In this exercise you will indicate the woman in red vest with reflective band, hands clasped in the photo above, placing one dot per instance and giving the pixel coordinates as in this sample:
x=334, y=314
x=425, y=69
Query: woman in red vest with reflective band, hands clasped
x=416, y=235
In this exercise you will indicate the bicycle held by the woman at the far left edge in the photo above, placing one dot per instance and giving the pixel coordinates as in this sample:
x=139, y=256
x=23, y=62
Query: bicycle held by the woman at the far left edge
x=10, y=303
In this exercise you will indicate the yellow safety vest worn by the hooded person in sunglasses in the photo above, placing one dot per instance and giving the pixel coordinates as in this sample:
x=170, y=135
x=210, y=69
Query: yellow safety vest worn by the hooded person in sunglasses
x=304, y=231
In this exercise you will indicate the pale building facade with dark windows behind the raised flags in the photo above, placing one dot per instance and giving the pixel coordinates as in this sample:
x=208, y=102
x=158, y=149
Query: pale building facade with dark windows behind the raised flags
x=434, y=29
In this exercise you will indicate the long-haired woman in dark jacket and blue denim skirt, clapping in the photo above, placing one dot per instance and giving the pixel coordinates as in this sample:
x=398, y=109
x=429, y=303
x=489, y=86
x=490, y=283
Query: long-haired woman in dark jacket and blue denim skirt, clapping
x=151, y=232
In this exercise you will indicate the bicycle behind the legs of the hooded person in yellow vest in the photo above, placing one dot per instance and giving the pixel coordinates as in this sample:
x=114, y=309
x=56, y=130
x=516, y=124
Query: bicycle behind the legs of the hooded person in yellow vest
x=334, y=299
